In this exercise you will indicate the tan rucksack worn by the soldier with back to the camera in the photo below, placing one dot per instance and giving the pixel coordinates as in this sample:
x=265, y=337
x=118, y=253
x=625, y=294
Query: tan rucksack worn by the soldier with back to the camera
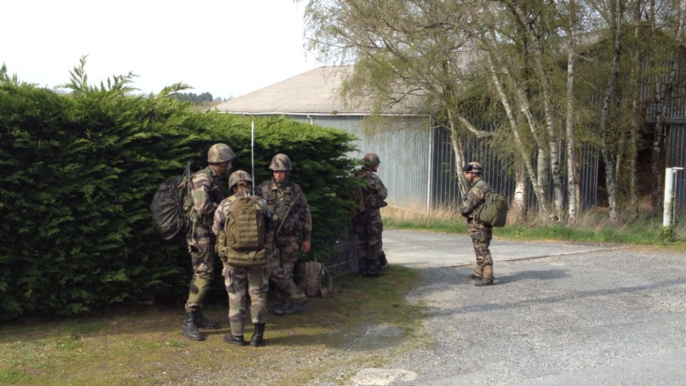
x=244, y=238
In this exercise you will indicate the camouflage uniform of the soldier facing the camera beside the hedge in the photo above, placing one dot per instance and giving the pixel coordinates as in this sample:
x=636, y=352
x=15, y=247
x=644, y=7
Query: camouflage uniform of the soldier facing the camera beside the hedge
x=298, y=222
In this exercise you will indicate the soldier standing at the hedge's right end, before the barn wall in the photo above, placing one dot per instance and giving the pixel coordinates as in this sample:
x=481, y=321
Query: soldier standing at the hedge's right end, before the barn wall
x=368, y=224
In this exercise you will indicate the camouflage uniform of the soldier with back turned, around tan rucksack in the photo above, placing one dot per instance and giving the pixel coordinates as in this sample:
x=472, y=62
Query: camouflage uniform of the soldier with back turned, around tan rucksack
x=242, y=282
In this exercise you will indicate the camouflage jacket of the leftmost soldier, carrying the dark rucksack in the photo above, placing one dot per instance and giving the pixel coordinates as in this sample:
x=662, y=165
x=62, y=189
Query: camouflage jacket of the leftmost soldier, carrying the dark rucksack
x=207, y=194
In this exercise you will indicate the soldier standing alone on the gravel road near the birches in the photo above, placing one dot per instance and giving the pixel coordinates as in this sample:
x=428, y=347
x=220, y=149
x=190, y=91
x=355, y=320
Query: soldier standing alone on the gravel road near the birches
x=481, y=233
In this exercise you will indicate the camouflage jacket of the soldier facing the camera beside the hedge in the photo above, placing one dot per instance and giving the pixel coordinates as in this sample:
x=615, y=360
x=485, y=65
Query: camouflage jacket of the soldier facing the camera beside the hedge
x=280, y=197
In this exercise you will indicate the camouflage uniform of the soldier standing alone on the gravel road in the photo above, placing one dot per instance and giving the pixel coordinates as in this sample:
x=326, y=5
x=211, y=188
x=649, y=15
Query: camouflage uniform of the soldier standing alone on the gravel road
x=481, y=233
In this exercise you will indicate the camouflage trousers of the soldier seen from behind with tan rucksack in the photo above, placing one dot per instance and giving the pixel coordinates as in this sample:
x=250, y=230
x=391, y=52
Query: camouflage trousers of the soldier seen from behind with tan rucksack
x=241, y=283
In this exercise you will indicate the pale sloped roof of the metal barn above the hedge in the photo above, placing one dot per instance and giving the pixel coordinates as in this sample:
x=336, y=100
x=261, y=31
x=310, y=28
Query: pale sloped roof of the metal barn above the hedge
x=313, y=92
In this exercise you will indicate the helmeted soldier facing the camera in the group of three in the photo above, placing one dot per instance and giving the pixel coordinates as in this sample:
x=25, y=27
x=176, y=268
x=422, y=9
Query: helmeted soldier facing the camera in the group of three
x=292, y=220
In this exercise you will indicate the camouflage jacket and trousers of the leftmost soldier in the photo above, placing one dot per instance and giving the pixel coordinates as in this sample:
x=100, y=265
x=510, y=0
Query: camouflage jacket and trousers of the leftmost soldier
x=207, y=194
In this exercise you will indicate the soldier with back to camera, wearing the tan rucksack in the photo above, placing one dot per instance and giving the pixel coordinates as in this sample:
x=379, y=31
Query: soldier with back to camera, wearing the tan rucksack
x=242, y=281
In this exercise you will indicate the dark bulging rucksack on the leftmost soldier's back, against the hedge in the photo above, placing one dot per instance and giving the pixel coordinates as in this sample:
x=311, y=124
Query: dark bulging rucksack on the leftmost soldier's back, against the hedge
x=171, y=205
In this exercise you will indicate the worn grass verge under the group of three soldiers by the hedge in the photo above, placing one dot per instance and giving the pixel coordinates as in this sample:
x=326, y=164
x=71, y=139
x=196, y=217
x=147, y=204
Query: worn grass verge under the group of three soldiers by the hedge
x=146, y=347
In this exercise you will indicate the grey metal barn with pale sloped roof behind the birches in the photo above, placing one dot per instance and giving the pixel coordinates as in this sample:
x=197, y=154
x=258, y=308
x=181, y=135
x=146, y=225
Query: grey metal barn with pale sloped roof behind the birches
x=417, y=161
